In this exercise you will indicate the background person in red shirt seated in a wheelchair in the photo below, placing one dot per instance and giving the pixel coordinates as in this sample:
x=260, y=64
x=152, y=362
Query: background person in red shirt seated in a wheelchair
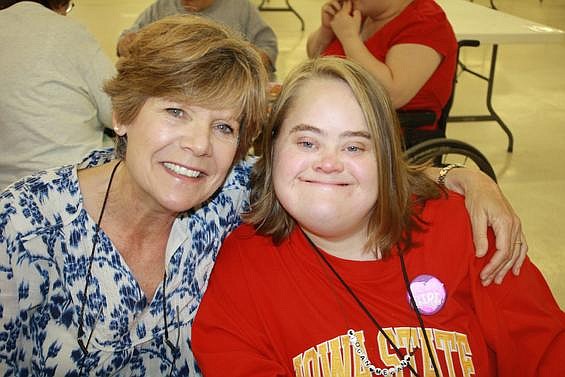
x=407, y=45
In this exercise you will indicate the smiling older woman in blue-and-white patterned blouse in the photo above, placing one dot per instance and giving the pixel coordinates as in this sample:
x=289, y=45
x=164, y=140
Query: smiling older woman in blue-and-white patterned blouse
x=103, y=264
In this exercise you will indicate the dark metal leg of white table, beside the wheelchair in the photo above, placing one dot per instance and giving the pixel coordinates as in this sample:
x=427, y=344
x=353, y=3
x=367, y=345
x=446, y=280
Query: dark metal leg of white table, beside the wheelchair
x=492, y=113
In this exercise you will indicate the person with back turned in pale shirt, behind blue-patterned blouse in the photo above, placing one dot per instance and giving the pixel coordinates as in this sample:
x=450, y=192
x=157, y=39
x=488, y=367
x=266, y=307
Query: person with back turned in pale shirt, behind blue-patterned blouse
x=52, y=107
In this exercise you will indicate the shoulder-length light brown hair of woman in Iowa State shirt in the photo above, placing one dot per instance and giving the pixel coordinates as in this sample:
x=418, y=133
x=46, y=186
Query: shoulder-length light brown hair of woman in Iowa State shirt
x=395, y=214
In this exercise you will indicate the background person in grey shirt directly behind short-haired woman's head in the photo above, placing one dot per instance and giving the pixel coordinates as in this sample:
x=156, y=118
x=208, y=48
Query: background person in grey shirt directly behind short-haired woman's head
x=241, y=15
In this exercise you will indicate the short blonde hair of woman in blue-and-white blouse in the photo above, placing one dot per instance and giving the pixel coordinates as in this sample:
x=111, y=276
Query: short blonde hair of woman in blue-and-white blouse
x=194, y=60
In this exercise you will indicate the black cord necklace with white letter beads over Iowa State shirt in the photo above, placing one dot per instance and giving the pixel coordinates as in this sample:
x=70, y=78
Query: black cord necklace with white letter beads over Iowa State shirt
x=405, y=359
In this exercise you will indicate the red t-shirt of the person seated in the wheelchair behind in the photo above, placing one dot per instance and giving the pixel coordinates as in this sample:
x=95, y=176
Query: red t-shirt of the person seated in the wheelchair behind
x=421, y=22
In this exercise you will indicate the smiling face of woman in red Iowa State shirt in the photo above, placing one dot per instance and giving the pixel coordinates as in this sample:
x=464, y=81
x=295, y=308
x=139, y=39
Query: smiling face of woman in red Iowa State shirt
x=324, y=166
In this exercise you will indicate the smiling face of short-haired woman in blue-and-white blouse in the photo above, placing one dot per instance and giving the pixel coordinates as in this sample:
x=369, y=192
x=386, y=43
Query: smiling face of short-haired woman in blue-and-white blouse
x=178, y=155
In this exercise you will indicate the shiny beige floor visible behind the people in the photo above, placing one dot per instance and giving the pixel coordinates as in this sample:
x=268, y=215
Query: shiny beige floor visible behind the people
x=529, y=95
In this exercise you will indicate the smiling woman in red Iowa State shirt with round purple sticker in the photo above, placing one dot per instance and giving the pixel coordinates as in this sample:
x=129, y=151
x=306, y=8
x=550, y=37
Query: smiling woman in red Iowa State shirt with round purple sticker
x=356, y=264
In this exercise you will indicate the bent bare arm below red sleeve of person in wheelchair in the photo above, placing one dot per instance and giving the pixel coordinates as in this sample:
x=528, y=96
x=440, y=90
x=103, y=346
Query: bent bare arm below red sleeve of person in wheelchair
x=398, y=74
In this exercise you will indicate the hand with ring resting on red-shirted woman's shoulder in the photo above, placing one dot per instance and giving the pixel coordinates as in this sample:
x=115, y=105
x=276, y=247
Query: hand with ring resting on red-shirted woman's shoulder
x=487, y=206
